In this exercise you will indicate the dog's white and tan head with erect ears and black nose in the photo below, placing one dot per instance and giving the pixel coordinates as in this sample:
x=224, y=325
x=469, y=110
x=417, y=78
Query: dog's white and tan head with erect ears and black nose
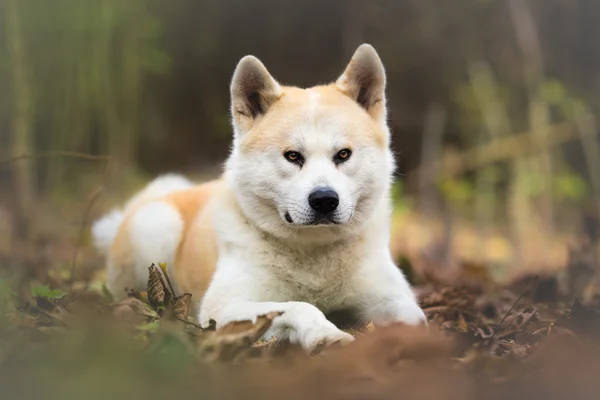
x=314, y=161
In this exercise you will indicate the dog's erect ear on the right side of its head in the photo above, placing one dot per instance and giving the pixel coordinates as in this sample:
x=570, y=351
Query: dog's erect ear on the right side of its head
x=364, y=81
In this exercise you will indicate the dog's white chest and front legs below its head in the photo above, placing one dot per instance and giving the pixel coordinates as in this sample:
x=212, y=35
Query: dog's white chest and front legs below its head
x=258, y=274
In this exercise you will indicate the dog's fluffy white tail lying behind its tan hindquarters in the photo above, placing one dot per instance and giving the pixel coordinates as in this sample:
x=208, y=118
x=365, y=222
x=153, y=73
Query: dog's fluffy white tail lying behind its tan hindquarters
x=105, y=229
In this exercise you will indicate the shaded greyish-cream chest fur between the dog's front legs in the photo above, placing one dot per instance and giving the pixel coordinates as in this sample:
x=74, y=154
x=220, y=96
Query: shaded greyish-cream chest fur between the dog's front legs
x=322, y=277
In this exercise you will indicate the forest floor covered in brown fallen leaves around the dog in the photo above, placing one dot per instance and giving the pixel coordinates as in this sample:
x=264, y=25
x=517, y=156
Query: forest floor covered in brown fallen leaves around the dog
x=62, y=337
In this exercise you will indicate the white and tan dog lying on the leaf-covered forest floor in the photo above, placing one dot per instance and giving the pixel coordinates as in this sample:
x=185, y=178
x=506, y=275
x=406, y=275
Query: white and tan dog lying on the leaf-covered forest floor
x=299, y=222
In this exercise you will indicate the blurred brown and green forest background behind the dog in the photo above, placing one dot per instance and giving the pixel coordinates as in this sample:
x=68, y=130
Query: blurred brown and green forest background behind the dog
x=493, y=107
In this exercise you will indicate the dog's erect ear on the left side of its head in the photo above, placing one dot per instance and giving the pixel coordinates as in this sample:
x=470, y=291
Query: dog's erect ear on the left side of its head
x=253, y=91
